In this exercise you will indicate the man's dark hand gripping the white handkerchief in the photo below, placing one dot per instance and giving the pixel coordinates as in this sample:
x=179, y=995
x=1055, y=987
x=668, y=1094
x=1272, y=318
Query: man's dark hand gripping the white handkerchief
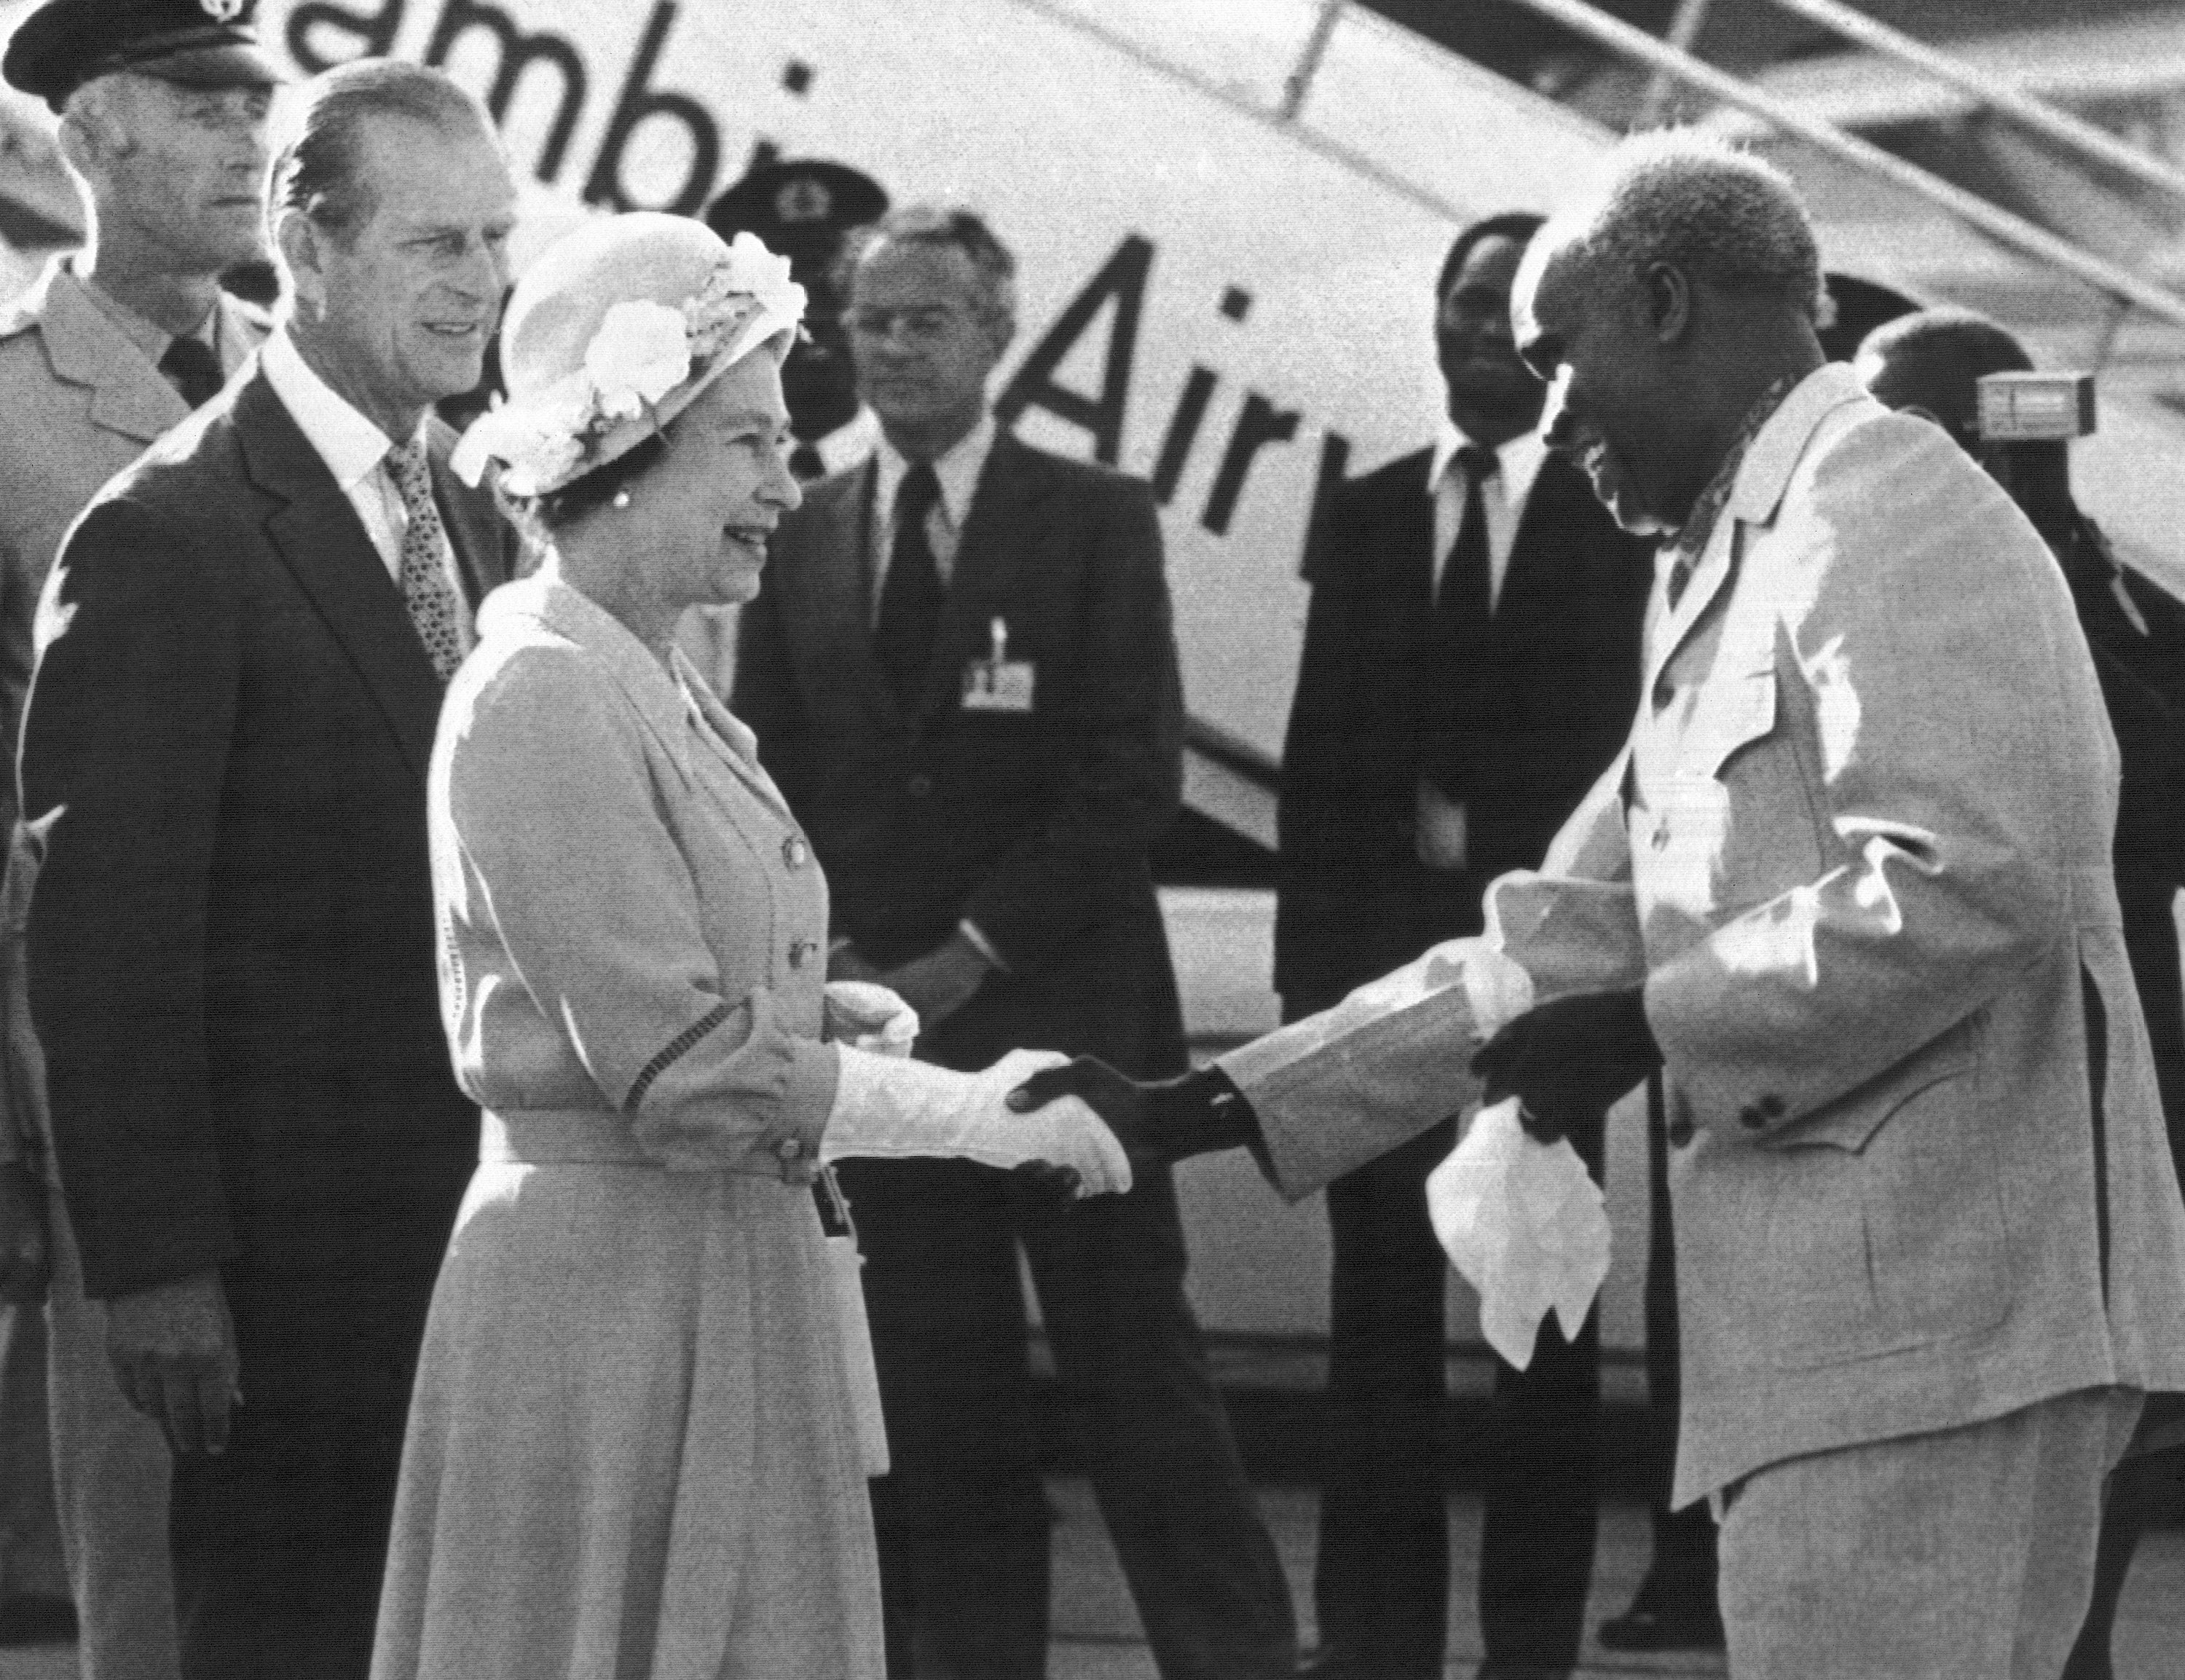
x=1570, y=1061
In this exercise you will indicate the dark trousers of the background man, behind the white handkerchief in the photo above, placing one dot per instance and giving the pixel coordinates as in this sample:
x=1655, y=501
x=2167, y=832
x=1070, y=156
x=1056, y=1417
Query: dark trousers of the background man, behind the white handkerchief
x=1382, y=1578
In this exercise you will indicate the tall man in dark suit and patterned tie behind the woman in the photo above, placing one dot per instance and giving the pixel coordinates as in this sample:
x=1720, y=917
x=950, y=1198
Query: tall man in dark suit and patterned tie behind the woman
x=231, y=938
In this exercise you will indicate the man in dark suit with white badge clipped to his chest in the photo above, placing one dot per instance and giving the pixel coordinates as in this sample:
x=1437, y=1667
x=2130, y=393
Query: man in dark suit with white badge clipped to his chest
x=965, y=681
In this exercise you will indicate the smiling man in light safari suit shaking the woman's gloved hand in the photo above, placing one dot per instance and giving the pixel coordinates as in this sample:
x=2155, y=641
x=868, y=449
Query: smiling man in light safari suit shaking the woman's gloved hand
x=1850, y=888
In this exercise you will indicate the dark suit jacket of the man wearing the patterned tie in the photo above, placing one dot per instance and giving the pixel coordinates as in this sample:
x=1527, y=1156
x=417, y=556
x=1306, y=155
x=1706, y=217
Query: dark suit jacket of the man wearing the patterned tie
x=233, y=930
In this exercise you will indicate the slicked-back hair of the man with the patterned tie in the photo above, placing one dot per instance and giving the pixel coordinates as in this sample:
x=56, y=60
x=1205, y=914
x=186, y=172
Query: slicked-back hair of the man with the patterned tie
x=318, y=165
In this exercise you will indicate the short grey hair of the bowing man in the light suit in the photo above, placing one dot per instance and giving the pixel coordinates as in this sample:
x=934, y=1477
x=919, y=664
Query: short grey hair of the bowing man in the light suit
x=1701, y=206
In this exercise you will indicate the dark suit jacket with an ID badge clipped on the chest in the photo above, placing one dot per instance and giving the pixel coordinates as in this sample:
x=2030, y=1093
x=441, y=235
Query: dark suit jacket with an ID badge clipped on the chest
x=1035, y=827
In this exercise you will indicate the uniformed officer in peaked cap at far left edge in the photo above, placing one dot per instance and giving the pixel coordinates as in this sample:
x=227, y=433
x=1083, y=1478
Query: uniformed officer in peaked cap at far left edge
x=163, y=115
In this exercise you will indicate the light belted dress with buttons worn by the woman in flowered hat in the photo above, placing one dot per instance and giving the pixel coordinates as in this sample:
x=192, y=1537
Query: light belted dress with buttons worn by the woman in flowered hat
x=630, y=1450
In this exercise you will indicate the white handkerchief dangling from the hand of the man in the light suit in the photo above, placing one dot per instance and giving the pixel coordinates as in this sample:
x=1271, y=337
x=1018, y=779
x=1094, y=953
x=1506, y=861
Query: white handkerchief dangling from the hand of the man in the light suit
x=1524, y=1224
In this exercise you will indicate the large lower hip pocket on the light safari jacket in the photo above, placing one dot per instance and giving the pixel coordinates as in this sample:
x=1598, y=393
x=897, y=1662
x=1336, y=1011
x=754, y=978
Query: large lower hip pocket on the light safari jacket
x=1880, y=1220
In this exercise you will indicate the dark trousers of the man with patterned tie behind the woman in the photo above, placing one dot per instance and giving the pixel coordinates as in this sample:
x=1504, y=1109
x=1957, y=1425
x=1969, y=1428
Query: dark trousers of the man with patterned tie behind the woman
x=281, y=1541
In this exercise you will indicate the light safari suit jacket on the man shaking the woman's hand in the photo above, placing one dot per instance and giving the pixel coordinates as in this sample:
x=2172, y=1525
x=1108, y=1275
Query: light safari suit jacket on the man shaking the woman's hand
x=1858, y=857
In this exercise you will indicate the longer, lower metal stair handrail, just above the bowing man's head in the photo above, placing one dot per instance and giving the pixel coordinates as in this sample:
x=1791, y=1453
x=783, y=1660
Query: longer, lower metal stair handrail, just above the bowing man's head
x=1970, y=209
